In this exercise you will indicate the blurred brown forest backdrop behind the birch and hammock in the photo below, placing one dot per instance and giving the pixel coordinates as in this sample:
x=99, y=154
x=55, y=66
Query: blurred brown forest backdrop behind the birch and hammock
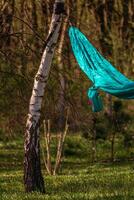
x=24, y=25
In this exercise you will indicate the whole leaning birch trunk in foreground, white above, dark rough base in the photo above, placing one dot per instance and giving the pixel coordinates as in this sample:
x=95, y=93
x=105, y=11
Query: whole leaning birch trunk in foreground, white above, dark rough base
x=33, y=179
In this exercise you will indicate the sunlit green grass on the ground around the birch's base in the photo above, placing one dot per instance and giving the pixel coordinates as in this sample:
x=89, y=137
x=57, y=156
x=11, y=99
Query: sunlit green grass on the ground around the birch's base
x=78, y=179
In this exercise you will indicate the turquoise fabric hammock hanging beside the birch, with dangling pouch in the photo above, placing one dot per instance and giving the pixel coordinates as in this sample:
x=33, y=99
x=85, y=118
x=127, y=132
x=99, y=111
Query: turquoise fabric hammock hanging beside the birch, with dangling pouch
x=103, y=75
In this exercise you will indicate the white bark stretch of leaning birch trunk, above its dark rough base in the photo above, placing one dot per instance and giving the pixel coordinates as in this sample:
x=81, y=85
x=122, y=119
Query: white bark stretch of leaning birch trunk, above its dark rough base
x=44, y=68
